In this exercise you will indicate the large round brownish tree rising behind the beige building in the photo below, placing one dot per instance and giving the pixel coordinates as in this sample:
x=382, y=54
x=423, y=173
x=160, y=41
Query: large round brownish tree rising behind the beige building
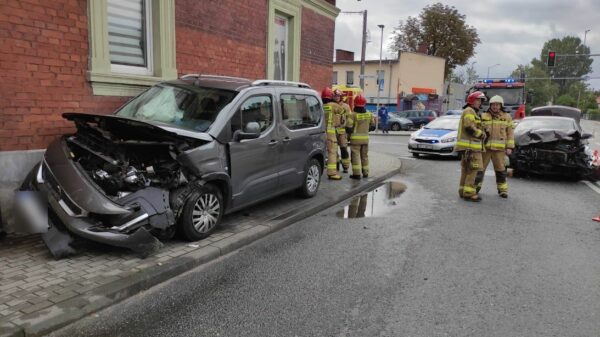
x=443, y=31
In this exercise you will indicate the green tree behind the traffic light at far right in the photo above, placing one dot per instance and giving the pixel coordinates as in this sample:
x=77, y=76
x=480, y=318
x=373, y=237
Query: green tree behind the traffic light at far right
x=567, y=66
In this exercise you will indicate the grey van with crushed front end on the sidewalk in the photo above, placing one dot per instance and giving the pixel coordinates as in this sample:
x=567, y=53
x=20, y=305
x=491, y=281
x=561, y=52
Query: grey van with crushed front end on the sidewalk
x=175, y=158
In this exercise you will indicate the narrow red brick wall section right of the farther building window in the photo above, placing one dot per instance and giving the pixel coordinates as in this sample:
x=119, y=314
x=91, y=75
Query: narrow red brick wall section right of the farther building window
x=316, y=56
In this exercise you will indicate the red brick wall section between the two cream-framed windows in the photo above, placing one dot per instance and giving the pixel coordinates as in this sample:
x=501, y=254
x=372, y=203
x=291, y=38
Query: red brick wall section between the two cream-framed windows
x=212, y=42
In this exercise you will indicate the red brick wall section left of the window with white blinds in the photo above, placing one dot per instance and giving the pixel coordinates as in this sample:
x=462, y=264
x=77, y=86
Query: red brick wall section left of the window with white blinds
x=43, y=60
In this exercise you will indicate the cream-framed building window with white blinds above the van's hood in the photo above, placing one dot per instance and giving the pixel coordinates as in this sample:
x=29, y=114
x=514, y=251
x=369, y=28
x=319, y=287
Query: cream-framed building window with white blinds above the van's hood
x=132, y=45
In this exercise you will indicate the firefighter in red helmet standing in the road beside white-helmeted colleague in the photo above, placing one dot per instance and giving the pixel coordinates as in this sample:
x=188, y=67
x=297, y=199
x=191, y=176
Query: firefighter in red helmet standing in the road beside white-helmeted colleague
x=469, y=143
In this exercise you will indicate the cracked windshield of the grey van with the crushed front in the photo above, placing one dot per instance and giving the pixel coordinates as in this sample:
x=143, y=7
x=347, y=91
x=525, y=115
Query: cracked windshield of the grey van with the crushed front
x=190, y=108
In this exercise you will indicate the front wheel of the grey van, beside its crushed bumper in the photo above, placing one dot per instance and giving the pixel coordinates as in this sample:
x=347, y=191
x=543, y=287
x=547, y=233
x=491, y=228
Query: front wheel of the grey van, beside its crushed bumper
x=202, y=212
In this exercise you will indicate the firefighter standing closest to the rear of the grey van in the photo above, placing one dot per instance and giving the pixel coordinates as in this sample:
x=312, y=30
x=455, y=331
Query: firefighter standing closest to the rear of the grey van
x=333, y=120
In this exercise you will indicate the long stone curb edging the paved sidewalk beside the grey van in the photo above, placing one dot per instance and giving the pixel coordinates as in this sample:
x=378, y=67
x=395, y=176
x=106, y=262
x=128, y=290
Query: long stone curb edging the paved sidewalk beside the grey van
x=64, y=313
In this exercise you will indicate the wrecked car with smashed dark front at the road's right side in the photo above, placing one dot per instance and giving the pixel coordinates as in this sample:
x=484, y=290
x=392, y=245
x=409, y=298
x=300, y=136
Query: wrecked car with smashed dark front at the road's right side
x=552, y=145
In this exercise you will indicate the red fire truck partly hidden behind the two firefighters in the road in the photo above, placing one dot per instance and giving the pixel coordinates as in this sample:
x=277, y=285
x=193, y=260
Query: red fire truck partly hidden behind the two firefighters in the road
x=513, y=93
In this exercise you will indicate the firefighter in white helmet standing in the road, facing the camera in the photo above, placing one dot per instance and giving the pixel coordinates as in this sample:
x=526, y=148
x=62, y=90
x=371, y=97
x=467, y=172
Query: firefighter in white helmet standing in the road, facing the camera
x=500, y=141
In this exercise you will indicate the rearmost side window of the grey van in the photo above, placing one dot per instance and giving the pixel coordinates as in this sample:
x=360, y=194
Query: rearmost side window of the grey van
x=300, y=111
